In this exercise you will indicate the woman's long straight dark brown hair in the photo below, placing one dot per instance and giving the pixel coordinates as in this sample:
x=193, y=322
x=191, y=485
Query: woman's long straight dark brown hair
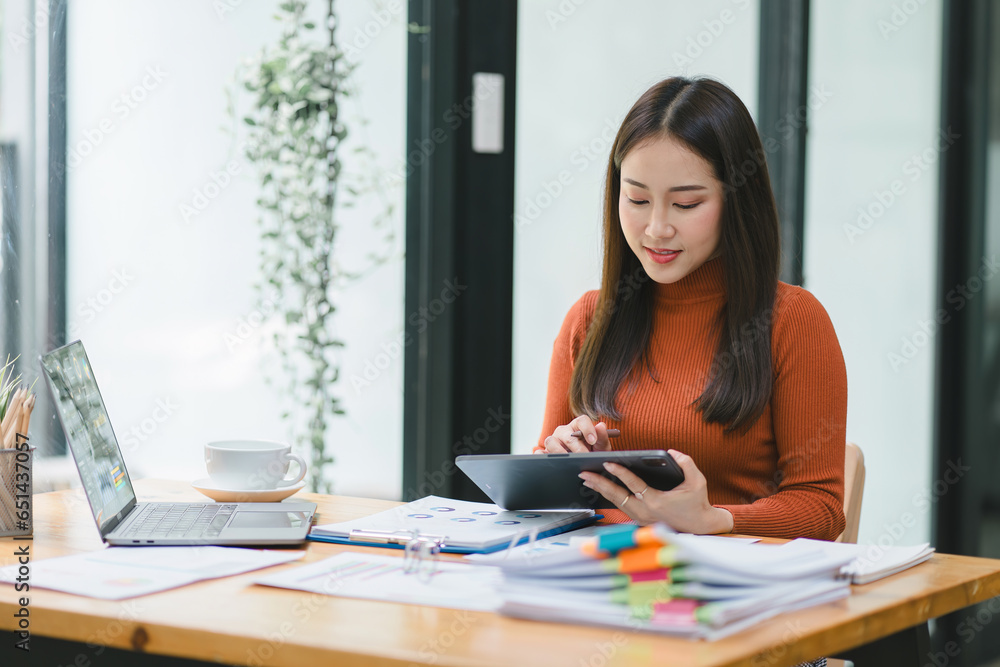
x=709, y=119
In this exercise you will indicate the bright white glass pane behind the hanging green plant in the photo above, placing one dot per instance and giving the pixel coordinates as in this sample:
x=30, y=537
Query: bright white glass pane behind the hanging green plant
x=161, y=337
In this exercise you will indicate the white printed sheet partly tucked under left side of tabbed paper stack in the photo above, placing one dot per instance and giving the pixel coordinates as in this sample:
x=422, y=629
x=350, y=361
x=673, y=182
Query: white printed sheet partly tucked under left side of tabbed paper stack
x=434, y=583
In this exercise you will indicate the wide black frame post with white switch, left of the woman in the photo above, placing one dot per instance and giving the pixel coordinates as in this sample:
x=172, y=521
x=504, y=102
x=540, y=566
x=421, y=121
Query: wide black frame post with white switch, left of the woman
x=459, y=246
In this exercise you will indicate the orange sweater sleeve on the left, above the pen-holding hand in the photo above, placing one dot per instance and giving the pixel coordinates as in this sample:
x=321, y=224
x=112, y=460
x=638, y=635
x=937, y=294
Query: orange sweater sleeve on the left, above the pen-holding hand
x=564, y=352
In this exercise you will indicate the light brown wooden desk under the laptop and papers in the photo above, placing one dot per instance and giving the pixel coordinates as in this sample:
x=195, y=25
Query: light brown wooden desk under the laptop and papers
x=232, y=621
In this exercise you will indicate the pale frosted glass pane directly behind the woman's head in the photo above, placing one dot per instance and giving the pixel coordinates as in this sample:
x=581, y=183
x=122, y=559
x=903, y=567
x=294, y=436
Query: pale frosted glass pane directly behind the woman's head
x=579, y=72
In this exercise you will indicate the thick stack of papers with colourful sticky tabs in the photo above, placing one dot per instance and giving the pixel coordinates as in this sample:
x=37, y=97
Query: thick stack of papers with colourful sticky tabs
x=653, y=579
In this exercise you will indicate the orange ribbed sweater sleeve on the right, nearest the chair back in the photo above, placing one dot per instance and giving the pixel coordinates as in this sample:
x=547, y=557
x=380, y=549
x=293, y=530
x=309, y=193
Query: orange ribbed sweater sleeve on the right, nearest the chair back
x=809, y=416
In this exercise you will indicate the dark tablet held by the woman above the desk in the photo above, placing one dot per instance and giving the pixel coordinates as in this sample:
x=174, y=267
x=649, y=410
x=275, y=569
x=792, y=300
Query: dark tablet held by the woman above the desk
x=550, y=481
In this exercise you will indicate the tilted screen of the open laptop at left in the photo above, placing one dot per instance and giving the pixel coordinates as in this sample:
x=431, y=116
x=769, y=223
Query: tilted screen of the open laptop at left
x=88, y=432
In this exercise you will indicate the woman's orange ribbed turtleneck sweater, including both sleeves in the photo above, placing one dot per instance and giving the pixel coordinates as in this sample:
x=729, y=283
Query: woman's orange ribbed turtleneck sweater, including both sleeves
x=782, y=478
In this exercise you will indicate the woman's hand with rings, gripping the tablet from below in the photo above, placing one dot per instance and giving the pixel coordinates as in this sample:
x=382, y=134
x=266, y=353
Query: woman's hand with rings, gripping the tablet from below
x=685, y=508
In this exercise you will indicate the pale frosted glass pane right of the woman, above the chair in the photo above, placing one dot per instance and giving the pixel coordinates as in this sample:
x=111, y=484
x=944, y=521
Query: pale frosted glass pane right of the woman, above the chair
x=877, y=279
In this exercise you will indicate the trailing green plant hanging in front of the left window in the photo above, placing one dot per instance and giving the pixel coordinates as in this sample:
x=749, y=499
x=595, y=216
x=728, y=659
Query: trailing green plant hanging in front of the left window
x=296, y=136
